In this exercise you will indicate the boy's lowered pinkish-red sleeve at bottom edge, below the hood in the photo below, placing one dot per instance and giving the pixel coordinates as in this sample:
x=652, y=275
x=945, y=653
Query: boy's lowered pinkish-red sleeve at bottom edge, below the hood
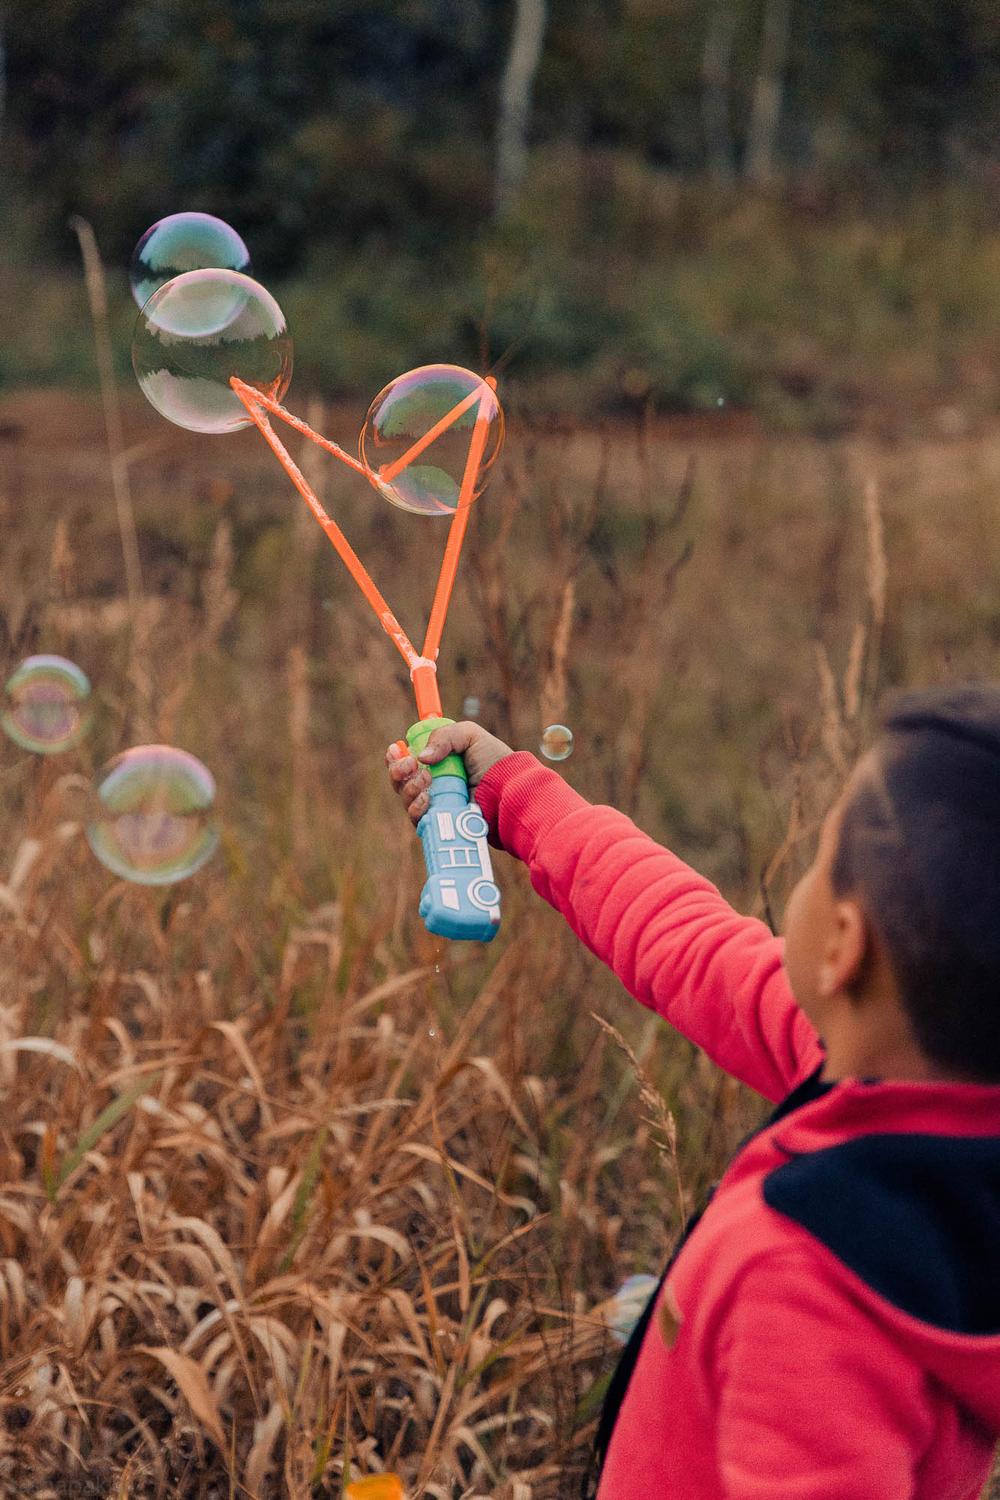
x=816, y=1400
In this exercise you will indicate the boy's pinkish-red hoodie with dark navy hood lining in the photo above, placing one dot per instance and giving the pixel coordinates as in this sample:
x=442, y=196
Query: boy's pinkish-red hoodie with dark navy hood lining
x=831, y=1328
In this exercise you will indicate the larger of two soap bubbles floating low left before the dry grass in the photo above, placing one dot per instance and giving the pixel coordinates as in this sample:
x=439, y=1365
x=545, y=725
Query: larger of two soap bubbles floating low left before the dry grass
x=152, y=815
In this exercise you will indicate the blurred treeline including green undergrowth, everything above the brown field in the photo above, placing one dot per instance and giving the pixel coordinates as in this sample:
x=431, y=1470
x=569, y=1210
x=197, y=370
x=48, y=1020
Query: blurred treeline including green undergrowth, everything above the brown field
x=662, y=200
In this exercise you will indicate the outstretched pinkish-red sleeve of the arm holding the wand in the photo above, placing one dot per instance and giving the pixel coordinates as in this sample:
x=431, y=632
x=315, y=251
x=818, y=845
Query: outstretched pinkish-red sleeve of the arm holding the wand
x=666, y=932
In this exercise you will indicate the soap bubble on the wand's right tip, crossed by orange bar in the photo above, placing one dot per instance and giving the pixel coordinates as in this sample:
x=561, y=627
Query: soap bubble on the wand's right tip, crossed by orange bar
x=407, y=412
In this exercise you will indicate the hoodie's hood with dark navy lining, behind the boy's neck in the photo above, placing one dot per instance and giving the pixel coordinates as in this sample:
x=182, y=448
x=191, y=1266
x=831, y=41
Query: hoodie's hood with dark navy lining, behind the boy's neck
x=902, y=1183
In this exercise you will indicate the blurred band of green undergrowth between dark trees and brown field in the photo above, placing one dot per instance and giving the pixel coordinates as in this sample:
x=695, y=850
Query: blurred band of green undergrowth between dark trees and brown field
x=813, y=325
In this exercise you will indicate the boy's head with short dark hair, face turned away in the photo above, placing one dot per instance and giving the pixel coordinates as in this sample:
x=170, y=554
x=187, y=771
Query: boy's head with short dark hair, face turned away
x=893, y=937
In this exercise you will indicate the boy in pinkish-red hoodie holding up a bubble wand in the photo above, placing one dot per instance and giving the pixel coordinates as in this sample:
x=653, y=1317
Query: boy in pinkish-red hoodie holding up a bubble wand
x=831, y=1328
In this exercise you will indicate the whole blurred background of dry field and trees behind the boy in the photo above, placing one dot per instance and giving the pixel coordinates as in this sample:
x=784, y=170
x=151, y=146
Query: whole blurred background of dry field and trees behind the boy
x=292, y=1193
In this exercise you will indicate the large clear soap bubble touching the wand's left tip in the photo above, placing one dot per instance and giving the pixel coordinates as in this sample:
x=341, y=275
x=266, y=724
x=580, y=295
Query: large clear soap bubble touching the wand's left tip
x=199, y=331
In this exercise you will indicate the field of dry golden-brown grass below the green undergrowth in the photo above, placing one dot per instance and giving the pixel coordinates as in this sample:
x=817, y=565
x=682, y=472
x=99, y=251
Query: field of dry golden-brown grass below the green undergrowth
x=287, y=1184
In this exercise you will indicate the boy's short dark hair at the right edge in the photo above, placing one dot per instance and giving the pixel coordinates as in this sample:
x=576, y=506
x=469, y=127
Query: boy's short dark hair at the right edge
x=920, y=845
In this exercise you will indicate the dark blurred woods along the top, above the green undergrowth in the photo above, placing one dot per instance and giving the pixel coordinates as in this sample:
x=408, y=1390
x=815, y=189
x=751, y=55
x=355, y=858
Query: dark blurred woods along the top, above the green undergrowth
x=380, y=122
